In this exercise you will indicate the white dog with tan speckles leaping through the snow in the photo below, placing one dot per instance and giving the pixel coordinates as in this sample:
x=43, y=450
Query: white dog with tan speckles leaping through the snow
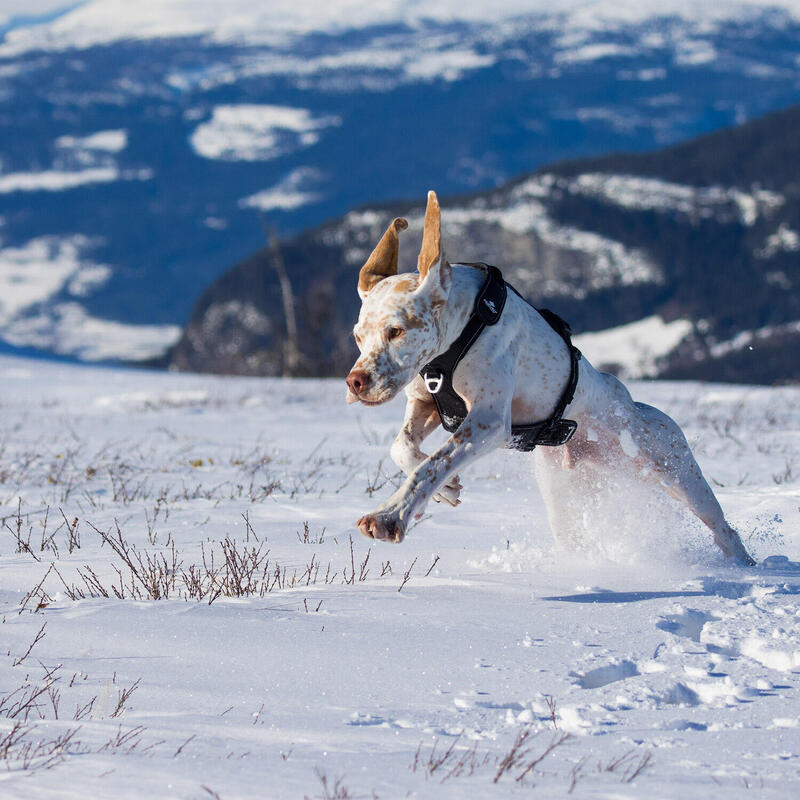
x=520, y=368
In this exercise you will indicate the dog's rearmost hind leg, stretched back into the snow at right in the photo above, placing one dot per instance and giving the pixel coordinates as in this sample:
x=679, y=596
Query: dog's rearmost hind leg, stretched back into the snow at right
x=663, y=455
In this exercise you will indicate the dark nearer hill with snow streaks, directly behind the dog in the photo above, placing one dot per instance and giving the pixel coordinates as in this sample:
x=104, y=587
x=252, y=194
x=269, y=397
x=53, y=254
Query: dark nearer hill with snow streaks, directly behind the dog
x=683, y=262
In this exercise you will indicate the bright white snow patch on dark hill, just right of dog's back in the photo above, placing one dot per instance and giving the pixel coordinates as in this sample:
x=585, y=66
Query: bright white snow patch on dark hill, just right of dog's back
x=635, y=347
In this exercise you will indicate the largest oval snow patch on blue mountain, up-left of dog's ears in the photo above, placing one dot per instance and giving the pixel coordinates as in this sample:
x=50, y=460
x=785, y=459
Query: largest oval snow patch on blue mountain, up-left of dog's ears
x=249, y=132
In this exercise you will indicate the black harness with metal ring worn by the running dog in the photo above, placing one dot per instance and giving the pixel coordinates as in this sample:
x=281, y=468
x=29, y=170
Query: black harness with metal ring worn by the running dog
x=438, y=373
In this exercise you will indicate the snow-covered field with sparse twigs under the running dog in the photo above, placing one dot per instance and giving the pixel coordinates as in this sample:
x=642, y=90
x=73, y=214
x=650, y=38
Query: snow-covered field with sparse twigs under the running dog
x=282, y=660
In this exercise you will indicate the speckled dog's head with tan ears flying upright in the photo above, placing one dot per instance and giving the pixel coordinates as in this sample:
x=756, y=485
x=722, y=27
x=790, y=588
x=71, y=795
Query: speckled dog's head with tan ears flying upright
x=399, y=324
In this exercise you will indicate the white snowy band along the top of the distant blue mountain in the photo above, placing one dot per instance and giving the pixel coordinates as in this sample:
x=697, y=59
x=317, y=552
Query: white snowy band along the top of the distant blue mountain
x=104, y=21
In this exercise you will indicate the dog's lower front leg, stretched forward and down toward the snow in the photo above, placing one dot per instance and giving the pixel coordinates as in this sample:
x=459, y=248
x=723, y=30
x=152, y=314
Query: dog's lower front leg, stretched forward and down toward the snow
x=484, y=428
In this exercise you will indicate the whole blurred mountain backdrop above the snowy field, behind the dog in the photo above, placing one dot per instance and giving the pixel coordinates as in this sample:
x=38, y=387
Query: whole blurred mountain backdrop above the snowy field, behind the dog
x=194, y=185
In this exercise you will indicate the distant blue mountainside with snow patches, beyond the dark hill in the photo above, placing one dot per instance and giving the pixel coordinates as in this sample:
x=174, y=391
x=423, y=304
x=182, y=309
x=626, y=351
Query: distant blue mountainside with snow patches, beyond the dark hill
x=142, y=144
